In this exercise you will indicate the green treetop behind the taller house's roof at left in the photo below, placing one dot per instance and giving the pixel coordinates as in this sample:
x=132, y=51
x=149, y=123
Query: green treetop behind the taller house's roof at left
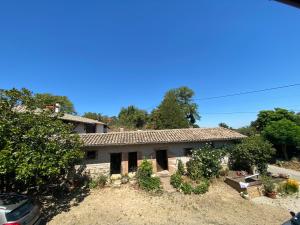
x=45, y=99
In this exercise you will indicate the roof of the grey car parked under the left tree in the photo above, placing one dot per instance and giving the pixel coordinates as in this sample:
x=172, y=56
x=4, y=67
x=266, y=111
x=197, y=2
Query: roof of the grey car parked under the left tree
x=10, y=202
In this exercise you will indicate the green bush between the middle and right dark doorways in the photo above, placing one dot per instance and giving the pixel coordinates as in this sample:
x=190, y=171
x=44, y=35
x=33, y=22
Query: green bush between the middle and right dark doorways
x=145, y=180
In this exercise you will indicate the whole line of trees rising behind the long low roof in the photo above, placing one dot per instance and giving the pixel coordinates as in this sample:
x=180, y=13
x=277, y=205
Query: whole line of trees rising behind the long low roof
x=177, y=110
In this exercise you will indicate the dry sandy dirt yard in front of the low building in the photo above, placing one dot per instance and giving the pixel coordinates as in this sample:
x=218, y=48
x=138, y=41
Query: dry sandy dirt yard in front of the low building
x=125, y=205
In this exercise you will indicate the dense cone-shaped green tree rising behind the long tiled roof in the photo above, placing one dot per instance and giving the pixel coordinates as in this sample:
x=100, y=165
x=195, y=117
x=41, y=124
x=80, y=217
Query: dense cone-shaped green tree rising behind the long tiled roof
x=169, y=114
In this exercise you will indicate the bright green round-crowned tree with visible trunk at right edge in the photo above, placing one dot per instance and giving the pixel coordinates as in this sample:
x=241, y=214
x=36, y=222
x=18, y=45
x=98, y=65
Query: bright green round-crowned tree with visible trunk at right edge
x=284, y=133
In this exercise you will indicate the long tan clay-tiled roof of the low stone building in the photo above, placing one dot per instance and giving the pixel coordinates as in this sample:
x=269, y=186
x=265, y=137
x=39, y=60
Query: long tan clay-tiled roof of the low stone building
x=160, y=136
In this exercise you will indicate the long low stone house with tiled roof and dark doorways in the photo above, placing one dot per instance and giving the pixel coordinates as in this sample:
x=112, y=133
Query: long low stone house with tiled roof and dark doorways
x=122, y=152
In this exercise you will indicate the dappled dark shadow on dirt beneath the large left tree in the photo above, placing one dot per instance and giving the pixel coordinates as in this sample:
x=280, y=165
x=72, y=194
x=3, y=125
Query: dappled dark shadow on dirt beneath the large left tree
x=59, y=200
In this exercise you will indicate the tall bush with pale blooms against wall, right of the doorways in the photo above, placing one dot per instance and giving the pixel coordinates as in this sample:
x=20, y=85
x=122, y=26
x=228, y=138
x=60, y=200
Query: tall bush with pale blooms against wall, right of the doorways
x=205, y=162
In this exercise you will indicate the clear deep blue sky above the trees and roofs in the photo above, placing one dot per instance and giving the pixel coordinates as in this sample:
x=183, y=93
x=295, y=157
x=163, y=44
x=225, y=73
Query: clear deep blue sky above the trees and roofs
x=107, y=54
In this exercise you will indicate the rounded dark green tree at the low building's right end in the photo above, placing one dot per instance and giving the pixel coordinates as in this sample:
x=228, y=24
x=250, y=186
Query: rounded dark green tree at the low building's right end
x=252, y=151
